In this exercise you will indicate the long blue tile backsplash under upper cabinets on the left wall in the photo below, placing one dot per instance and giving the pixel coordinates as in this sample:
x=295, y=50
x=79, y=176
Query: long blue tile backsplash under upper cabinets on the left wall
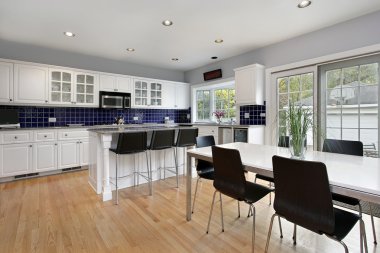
x=32, y=116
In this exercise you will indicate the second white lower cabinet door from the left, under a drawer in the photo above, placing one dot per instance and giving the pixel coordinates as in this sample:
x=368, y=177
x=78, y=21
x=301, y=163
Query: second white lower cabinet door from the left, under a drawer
x=45, y=156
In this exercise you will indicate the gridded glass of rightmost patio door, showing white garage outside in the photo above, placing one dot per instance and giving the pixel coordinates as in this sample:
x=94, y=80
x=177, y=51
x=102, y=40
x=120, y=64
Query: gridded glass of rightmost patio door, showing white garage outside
x=350, y=101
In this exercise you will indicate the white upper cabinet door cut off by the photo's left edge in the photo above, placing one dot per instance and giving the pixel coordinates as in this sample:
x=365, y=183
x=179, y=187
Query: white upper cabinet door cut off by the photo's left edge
x=6, y=82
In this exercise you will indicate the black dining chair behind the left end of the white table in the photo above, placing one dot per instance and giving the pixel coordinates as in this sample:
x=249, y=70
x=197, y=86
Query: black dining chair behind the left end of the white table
x=205, y=170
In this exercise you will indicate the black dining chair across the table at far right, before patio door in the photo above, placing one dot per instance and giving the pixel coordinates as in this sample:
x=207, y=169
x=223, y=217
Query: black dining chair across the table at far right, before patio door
x=348, y=147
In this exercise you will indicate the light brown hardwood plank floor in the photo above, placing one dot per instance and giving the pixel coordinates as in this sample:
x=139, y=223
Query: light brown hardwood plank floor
x=61, y=213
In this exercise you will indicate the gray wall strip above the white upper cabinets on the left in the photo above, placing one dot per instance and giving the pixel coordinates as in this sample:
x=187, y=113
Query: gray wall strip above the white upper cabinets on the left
x=31, y=53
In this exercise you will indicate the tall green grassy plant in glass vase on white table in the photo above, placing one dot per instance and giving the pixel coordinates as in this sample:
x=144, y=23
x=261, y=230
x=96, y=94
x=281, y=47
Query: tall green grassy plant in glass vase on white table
x=299, y=120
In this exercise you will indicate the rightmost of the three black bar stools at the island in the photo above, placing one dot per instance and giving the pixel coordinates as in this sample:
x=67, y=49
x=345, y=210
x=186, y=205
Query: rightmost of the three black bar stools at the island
x=187, y=137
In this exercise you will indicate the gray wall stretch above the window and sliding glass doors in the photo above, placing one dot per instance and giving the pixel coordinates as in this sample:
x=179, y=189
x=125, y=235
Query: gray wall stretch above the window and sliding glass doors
x=356, y=33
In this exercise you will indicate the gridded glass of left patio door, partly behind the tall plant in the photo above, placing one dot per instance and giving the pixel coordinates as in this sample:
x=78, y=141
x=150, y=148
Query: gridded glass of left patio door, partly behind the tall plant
x=294, y=86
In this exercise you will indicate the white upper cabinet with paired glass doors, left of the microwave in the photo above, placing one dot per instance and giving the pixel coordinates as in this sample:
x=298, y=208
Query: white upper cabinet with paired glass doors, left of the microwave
x=75, y=88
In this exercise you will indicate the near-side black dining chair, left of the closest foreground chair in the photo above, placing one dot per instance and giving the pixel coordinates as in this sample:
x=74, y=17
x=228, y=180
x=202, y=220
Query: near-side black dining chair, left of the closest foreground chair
x=229, y=179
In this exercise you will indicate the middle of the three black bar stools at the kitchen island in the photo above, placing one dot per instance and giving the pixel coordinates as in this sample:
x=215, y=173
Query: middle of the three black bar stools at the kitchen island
x=163, y=140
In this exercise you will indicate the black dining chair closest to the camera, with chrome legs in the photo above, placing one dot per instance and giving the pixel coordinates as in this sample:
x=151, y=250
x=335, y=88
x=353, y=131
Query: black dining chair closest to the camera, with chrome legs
x=303, y=197
